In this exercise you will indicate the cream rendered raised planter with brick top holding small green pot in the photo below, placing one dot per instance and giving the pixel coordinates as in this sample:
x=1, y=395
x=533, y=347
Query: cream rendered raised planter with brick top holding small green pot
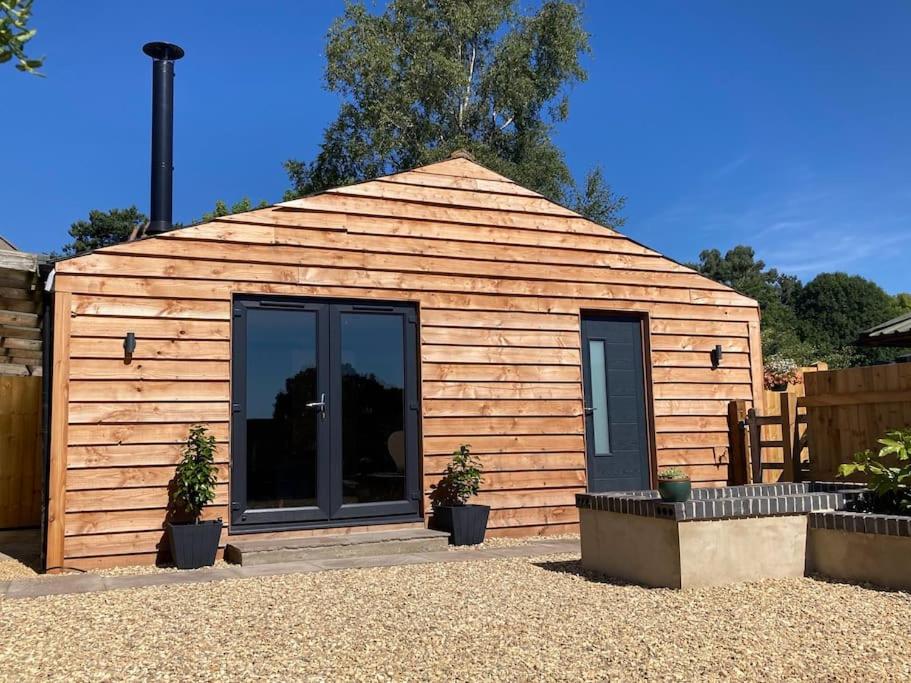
x=720, y=536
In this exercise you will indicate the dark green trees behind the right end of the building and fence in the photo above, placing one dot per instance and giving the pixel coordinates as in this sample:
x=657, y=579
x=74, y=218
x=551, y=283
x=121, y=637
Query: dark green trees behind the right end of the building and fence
x=816, y=321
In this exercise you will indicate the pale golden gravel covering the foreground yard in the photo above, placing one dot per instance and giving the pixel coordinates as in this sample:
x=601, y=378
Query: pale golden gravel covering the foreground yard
x=500, y=620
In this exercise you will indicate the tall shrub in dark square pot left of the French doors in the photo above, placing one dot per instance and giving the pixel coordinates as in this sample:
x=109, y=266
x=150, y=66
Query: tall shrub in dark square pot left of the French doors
x=195, y=543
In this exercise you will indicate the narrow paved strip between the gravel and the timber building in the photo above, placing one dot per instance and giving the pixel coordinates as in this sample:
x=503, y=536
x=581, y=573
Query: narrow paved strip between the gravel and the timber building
x=93, y=583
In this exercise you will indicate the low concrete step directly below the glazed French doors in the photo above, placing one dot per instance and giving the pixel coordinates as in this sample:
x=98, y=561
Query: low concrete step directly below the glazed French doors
x=274, y=551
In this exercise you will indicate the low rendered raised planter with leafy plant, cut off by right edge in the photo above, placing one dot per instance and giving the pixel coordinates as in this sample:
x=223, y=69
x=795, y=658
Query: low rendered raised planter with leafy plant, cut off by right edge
x=861, y=547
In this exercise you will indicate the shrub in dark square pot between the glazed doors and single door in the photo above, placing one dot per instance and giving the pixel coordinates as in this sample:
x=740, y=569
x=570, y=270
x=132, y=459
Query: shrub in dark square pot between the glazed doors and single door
x=465, y=523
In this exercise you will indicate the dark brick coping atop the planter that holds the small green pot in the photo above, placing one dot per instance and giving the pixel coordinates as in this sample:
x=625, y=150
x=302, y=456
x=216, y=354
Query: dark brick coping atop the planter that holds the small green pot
x=729, y=502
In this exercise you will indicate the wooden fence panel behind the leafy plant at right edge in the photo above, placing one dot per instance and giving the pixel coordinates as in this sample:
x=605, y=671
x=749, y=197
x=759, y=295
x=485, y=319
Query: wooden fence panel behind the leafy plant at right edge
x=847, y=410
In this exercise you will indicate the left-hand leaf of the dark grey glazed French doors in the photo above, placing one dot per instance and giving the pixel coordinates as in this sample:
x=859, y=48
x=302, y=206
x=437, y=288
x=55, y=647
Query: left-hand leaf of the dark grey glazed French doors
x=279, y=435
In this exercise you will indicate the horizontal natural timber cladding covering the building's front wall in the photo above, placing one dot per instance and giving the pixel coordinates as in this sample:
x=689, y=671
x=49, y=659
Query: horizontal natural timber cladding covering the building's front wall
x=501, y=278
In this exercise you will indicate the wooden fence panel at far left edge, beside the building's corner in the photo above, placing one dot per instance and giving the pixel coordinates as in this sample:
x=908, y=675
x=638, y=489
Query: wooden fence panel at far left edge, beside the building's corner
x=20, y=452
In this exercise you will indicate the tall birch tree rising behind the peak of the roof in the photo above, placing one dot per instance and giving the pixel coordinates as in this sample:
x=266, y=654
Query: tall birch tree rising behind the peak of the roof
x=423, y=79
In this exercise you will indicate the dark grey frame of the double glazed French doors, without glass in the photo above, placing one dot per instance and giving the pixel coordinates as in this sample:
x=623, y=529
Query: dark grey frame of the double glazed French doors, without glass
x=328, y=349
